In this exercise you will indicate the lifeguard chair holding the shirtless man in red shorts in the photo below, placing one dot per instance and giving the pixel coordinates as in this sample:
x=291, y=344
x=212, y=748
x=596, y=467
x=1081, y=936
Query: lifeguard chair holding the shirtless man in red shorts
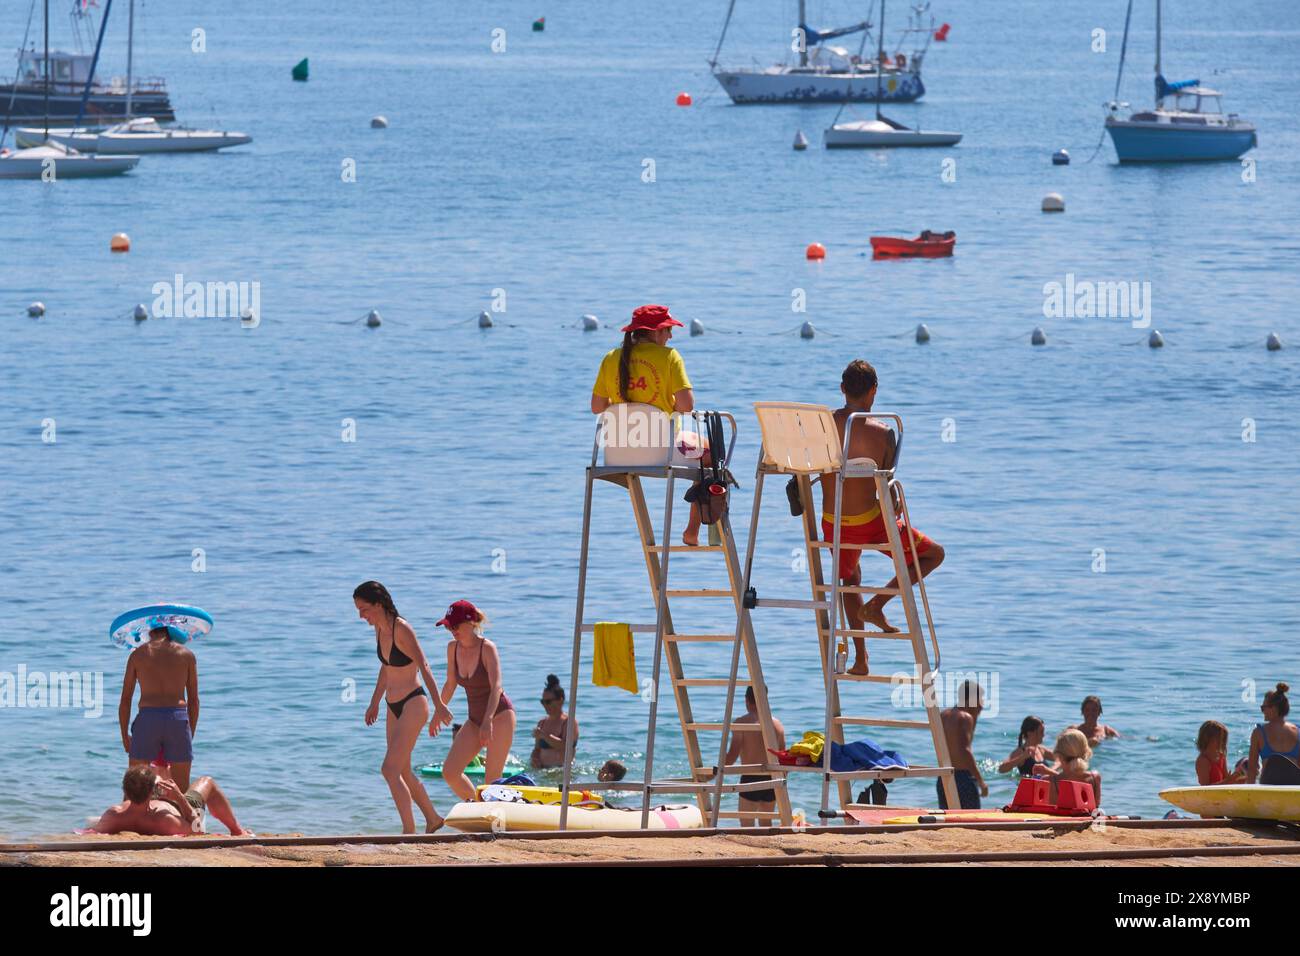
x=803, y=442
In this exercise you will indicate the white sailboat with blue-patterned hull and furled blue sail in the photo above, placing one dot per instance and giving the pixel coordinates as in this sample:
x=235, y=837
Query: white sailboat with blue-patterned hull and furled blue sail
x=827, y=73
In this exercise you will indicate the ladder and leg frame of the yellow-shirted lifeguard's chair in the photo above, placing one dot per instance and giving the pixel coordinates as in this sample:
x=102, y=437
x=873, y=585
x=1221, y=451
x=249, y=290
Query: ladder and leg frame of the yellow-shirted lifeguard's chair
x=707, y=782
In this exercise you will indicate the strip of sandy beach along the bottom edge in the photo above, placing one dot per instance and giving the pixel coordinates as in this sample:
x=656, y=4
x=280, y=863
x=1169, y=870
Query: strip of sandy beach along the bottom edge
x=1146, y=843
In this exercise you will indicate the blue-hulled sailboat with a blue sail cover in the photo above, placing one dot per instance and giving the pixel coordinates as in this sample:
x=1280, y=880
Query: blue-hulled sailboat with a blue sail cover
x=1195, y=129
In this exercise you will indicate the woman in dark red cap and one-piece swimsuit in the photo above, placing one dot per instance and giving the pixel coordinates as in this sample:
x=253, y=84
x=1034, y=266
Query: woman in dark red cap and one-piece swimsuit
x=475, y=665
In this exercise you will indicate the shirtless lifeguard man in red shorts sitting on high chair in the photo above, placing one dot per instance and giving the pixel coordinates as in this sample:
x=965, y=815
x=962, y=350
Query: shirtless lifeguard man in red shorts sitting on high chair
x=860, y=521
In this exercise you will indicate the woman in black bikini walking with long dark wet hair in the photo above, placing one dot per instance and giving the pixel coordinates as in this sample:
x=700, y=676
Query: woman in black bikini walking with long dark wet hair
x=401, y=668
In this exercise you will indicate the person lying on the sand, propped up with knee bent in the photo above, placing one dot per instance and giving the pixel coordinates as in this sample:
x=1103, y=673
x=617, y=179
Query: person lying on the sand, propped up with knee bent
x=155, y=806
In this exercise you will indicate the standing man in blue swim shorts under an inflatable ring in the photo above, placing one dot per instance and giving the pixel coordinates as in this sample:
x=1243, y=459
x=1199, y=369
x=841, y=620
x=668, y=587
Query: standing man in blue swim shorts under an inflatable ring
x=168, y=676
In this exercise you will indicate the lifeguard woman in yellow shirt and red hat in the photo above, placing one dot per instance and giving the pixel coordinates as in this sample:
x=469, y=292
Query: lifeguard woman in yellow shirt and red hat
x=645, y=370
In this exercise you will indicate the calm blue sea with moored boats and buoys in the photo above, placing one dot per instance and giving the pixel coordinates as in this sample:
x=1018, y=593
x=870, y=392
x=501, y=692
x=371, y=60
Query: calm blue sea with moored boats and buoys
x=523, y=172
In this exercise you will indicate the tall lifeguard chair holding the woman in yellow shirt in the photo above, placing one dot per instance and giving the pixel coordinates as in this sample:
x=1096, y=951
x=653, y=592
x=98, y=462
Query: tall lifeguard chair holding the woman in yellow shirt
x=629, y=469
